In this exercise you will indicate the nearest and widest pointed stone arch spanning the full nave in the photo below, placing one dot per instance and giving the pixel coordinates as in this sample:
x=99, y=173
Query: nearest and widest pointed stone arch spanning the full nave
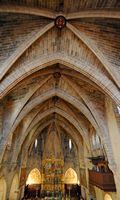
x=66, y=60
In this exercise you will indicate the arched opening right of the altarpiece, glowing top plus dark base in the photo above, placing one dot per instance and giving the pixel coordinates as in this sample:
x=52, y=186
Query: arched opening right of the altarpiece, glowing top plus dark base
x=72, y=189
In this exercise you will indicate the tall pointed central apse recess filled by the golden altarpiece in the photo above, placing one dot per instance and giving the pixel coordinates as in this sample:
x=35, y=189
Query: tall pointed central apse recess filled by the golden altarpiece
x=52, y=165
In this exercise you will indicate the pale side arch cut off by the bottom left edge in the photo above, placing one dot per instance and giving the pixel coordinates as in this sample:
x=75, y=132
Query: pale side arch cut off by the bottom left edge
x=3, y=188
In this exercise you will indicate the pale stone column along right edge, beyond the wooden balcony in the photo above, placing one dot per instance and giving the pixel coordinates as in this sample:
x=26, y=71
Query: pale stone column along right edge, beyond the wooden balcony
x=115, y=142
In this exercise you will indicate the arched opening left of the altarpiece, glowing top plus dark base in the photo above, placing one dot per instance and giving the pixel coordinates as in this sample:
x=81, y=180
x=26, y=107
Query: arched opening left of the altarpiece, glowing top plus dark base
x=33, y=184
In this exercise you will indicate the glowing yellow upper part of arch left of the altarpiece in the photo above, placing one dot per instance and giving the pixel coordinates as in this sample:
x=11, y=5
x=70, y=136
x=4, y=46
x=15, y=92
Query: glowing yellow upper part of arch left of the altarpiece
x=34, y=177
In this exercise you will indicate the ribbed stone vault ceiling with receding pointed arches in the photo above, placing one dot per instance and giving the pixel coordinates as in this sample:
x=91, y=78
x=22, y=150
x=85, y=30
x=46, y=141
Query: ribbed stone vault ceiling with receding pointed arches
x=48, y=74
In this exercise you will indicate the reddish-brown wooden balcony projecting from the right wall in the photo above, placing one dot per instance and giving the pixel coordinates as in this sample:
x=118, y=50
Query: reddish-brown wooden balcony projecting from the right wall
x=103, y=180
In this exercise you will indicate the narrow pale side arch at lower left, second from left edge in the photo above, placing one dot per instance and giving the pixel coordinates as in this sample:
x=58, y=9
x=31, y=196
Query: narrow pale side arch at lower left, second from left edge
x=14, y=188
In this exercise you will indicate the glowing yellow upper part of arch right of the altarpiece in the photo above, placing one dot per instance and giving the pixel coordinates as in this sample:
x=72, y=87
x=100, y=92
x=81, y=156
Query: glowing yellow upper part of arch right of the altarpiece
x=70, y=177
